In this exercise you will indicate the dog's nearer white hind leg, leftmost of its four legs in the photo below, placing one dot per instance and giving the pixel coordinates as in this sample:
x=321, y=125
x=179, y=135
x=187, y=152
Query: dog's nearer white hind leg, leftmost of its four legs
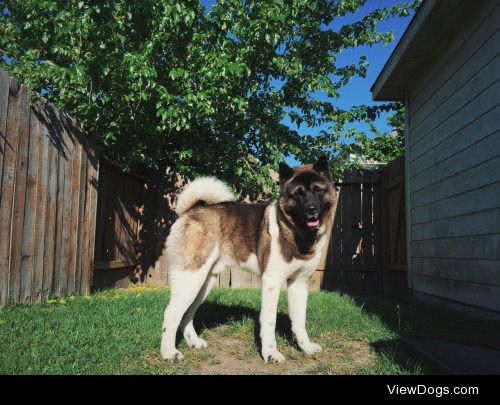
x=185, y=286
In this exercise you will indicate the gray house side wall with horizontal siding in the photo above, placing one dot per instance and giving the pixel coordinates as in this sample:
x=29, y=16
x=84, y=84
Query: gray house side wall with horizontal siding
x=453, y=154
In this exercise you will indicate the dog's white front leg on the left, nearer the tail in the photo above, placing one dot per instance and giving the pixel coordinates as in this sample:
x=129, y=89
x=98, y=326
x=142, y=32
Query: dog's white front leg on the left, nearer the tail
x=268, y=313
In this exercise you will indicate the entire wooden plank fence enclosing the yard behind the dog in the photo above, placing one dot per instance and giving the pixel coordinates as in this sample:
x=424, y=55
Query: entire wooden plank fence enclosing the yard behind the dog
x=71, y=222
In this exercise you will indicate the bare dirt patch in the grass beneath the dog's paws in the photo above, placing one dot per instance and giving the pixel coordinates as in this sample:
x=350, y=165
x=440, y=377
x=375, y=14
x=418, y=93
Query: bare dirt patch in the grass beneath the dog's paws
x=235, y=353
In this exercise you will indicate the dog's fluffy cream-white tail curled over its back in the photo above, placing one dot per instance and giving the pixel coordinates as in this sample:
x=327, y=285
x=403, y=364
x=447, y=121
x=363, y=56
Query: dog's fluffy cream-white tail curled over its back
x=207, y=189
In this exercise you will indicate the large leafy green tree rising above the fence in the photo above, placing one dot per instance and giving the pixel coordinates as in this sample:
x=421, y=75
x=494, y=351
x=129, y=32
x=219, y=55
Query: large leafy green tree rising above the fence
x=163, y=83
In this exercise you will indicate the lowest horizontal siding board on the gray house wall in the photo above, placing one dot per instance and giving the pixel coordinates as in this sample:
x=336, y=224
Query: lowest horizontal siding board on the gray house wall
x=480, y=295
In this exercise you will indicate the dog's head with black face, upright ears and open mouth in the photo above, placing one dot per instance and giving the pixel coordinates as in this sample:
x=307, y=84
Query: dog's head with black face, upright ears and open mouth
x=307, y=193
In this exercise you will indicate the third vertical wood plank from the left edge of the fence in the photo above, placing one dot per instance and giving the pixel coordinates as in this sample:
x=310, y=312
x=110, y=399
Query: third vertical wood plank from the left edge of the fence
x=30, y=209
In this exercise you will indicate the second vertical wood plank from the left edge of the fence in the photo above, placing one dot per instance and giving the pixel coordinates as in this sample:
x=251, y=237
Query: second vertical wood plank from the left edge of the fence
x=21, y=171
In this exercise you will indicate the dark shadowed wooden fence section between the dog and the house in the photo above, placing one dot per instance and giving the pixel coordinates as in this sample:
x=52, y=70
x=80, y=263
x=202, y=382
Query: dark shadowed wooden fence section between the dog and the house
x=367, y=251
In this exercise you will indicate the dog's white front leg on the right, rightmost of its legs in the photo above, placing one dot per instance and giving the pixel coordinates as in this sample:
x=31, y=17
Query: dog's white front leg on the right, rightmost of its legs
x=297, y=307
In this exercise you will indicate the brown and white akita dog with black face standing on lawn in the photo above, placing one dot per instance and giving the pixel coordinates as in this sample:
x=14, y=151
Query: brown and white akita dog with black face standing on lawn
x=281, y=241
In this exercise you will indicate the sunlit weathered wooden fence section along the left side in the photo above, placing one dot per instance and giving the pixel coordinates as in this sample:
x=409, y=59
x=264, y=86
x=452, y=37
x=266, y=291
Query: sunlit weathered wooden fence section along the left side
x=48, y=195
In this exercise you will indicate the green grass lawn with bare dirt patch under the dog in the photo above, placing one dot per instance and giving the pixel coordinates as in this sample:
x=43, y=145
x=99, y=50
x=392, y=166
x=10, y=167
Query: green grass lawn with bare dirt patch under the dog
x=118, y=332
